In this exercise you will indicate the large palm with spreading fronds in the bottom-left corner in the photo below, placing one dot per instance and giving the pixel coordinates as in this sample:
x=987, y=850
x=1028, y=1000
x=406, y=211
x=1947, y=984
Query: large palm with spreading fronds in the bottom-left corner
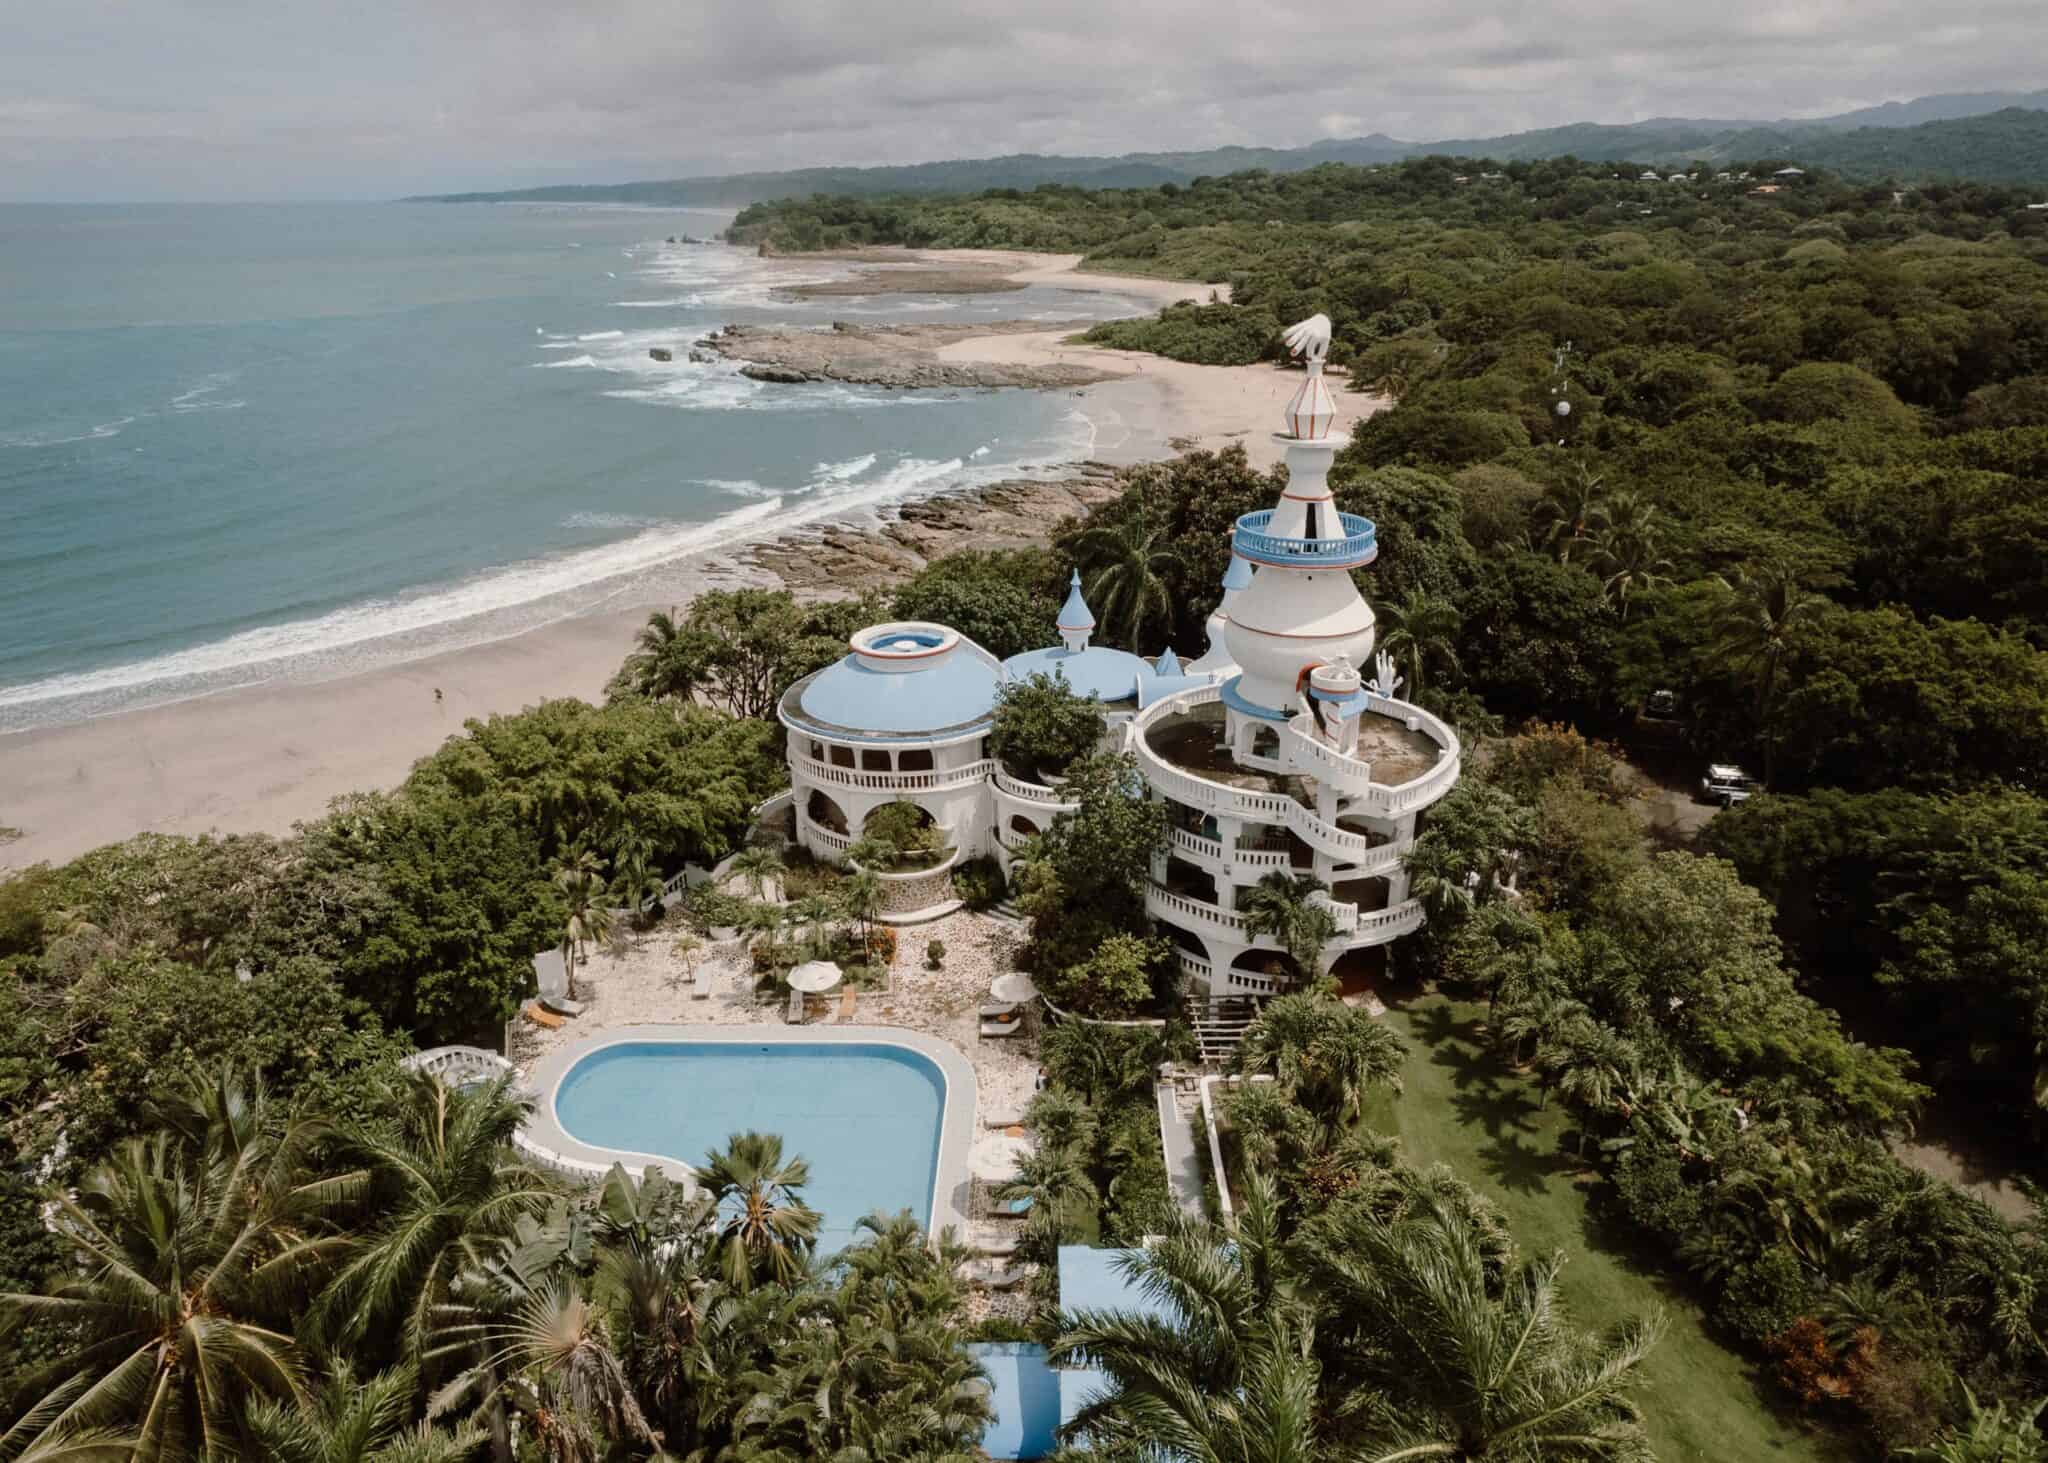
x=189, y=1265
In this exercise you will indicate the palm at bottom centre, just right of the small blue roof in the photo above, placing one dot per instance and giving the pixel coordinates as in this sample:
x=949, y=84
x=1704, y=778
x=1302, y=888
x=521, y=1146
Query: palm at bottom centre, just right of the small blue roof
x=1230, y=1370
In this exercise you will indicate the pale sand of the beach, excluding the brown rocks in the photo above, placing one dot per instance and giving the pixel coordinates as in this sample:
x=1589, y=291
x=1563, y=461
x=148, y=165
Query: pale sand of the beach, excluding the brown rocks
x=267, y=757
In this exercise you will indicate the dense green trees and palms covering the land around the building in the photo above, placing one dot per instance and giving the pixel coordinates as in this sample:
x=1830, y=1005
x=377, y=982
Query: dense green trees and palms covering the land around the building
x=1793, y=515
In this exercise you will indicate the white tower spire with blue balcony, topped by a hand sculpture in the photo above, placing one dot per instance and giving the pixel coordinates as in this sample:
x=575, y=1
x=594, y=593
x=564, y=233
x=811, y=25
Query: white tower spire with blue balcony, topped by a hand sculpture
x=1302, y=608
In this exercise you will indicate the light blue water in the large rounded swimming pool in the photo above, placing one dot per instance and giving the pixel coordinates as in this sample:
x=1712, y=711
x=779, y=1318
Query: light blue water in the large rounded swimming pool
x=865, y=1118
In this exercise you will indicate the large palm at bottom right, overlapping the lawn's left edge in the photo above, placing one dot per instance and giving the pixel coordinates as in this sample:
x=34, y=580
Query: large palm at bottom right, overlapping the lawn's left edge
x=1471, y=1366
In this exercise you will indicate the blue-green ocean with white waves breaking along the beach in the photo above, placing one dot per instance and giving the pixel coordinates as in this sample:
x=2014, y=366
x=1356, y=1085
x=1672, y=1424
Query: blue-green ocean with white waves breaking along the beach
x=243, y=444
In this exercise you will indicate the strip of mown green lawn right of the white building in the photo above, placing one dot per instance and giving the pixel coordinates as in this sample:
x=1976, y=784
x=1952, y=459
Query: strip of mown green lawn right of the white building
x=1467, y=1110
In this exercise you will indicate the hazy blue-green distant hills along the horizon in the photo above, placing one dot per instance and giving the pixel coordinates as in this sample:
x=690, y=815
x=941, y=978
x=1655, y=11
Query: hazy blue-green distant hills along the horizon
x=1986, y=136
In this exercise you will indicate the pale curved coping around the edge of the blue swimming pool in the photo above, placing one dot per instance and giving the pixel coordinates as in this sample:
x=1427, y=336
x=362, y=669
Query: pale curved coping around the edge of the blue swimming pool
x=544, y=1138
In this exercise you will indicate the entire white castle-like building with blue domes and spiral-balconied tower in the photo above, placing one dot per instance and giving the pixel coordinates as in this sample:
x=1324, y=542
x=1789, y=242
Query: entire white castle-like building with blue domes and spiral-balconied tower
x=1273, y=753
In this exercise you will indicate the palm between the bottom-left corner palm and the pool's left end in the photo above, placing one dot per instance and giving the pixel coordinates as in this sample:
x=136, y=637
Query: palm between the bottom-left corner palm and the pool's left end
x=447, y=1187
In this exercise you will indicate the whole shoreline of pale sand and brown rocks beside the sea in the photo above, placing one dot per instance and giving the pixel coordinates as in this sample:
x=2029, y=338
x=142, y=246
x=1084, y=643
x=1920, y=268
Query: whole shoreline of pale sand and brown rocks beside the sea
x=261, y=759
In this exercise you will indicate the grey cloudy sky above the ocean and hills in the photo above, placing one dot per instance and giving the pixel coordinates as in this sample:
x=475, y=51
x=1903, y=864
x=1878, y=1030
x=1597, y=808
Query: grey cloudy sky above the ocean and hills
x=323, y=99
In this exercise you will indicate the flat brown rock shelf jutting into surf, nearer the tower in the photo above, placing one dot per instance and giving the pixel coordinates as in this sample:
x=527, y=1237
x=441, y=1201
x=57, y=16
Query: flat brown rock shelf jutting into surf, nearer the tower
x=894, y=356
